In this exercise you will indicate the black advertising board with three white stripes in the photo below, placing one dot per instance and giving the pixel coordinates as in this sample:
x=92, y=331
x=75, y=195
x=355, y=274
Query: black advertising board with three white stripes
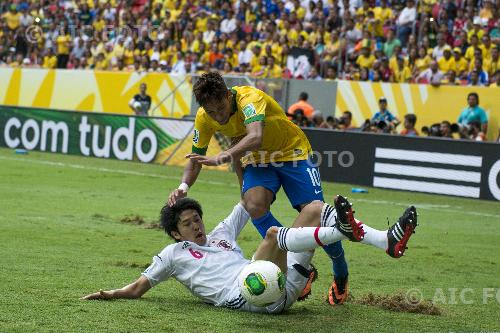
x=439, y=166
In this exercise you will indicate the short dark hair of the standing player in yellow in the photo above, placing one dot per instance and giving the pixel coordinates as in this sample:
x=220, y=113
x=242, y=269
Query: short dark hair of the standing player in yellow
x=210, y=86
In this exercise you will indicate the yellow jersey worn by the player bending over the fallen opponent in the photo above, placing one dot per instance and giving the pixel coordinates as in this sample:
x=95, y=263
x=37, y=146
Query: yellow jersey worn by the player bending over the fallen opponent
x=282, y=140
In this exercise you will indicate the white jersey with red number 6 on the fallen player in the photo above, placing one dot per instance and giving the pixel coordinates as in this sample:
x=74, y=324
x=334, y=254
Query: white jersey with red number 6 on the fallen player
x=210, y=271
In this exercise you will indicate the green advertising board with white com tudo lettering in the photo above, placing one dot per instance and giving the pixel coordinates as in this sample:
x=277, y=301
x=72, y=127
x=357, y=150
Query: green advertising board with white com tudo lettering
x=97, y=134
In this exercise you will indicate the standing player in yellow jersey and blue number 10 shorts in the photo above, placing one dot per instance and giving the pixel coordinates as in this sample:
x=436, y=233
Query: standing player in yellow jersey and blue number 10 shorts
x=280, y=156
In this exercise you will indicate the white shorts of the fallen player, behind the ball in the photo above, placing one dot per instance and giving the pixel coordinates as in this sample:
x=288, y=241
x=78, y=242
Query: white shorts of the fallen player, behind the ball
x=295, y=283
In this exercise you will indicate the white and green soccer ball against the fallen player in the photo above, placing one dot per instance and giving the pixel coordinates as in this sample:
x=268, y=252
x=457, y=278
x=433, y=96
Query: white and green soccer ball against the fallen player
x=261, y=283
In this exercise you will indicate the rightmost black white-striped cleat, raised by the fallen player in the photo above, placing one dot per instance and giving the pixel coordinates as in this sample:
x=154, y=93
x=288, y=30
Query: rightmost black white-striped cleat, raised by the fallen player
x=399, y=234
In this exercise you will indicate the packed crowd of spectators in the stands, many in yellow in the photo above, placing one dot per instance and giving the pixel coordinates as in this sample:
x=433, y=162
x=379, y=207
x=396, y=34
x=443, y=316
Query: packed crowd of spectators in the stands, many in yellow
x=427, y=41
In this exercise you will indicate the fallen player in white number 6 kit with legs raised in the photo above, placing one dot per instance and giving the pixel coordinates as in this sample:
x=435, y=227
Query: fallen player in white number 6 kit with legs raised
x=208, y=265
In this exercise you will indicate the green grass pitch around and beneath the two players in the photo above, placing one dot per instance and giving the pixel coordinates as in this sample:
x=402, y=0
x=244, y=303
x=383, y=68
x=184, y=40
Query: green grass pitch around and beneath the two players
x=62, y=236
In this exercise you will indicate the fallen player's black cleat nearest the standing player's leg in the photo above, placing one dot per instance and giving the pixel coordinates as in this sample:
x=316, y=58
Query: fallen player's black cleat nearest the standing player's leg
x=345, y=221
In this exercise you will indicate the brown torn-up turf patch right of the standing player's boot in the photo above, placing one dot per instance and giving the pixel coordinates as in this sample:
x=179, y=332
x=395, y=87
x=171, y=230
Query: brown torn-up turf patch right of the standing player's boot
x=399, y=302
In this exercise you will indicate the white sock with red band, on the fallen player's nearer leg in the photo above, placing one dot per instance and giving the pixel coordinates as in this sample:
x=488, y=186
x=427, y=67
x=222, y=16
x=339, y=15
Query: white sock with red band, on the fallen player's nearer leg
x=307, y=238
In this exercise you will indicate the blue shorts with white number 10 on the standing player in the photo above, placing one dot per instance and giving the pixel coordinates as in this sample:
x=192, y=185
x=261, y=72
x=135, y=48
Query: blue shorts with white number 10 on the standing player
x=300, y=180
